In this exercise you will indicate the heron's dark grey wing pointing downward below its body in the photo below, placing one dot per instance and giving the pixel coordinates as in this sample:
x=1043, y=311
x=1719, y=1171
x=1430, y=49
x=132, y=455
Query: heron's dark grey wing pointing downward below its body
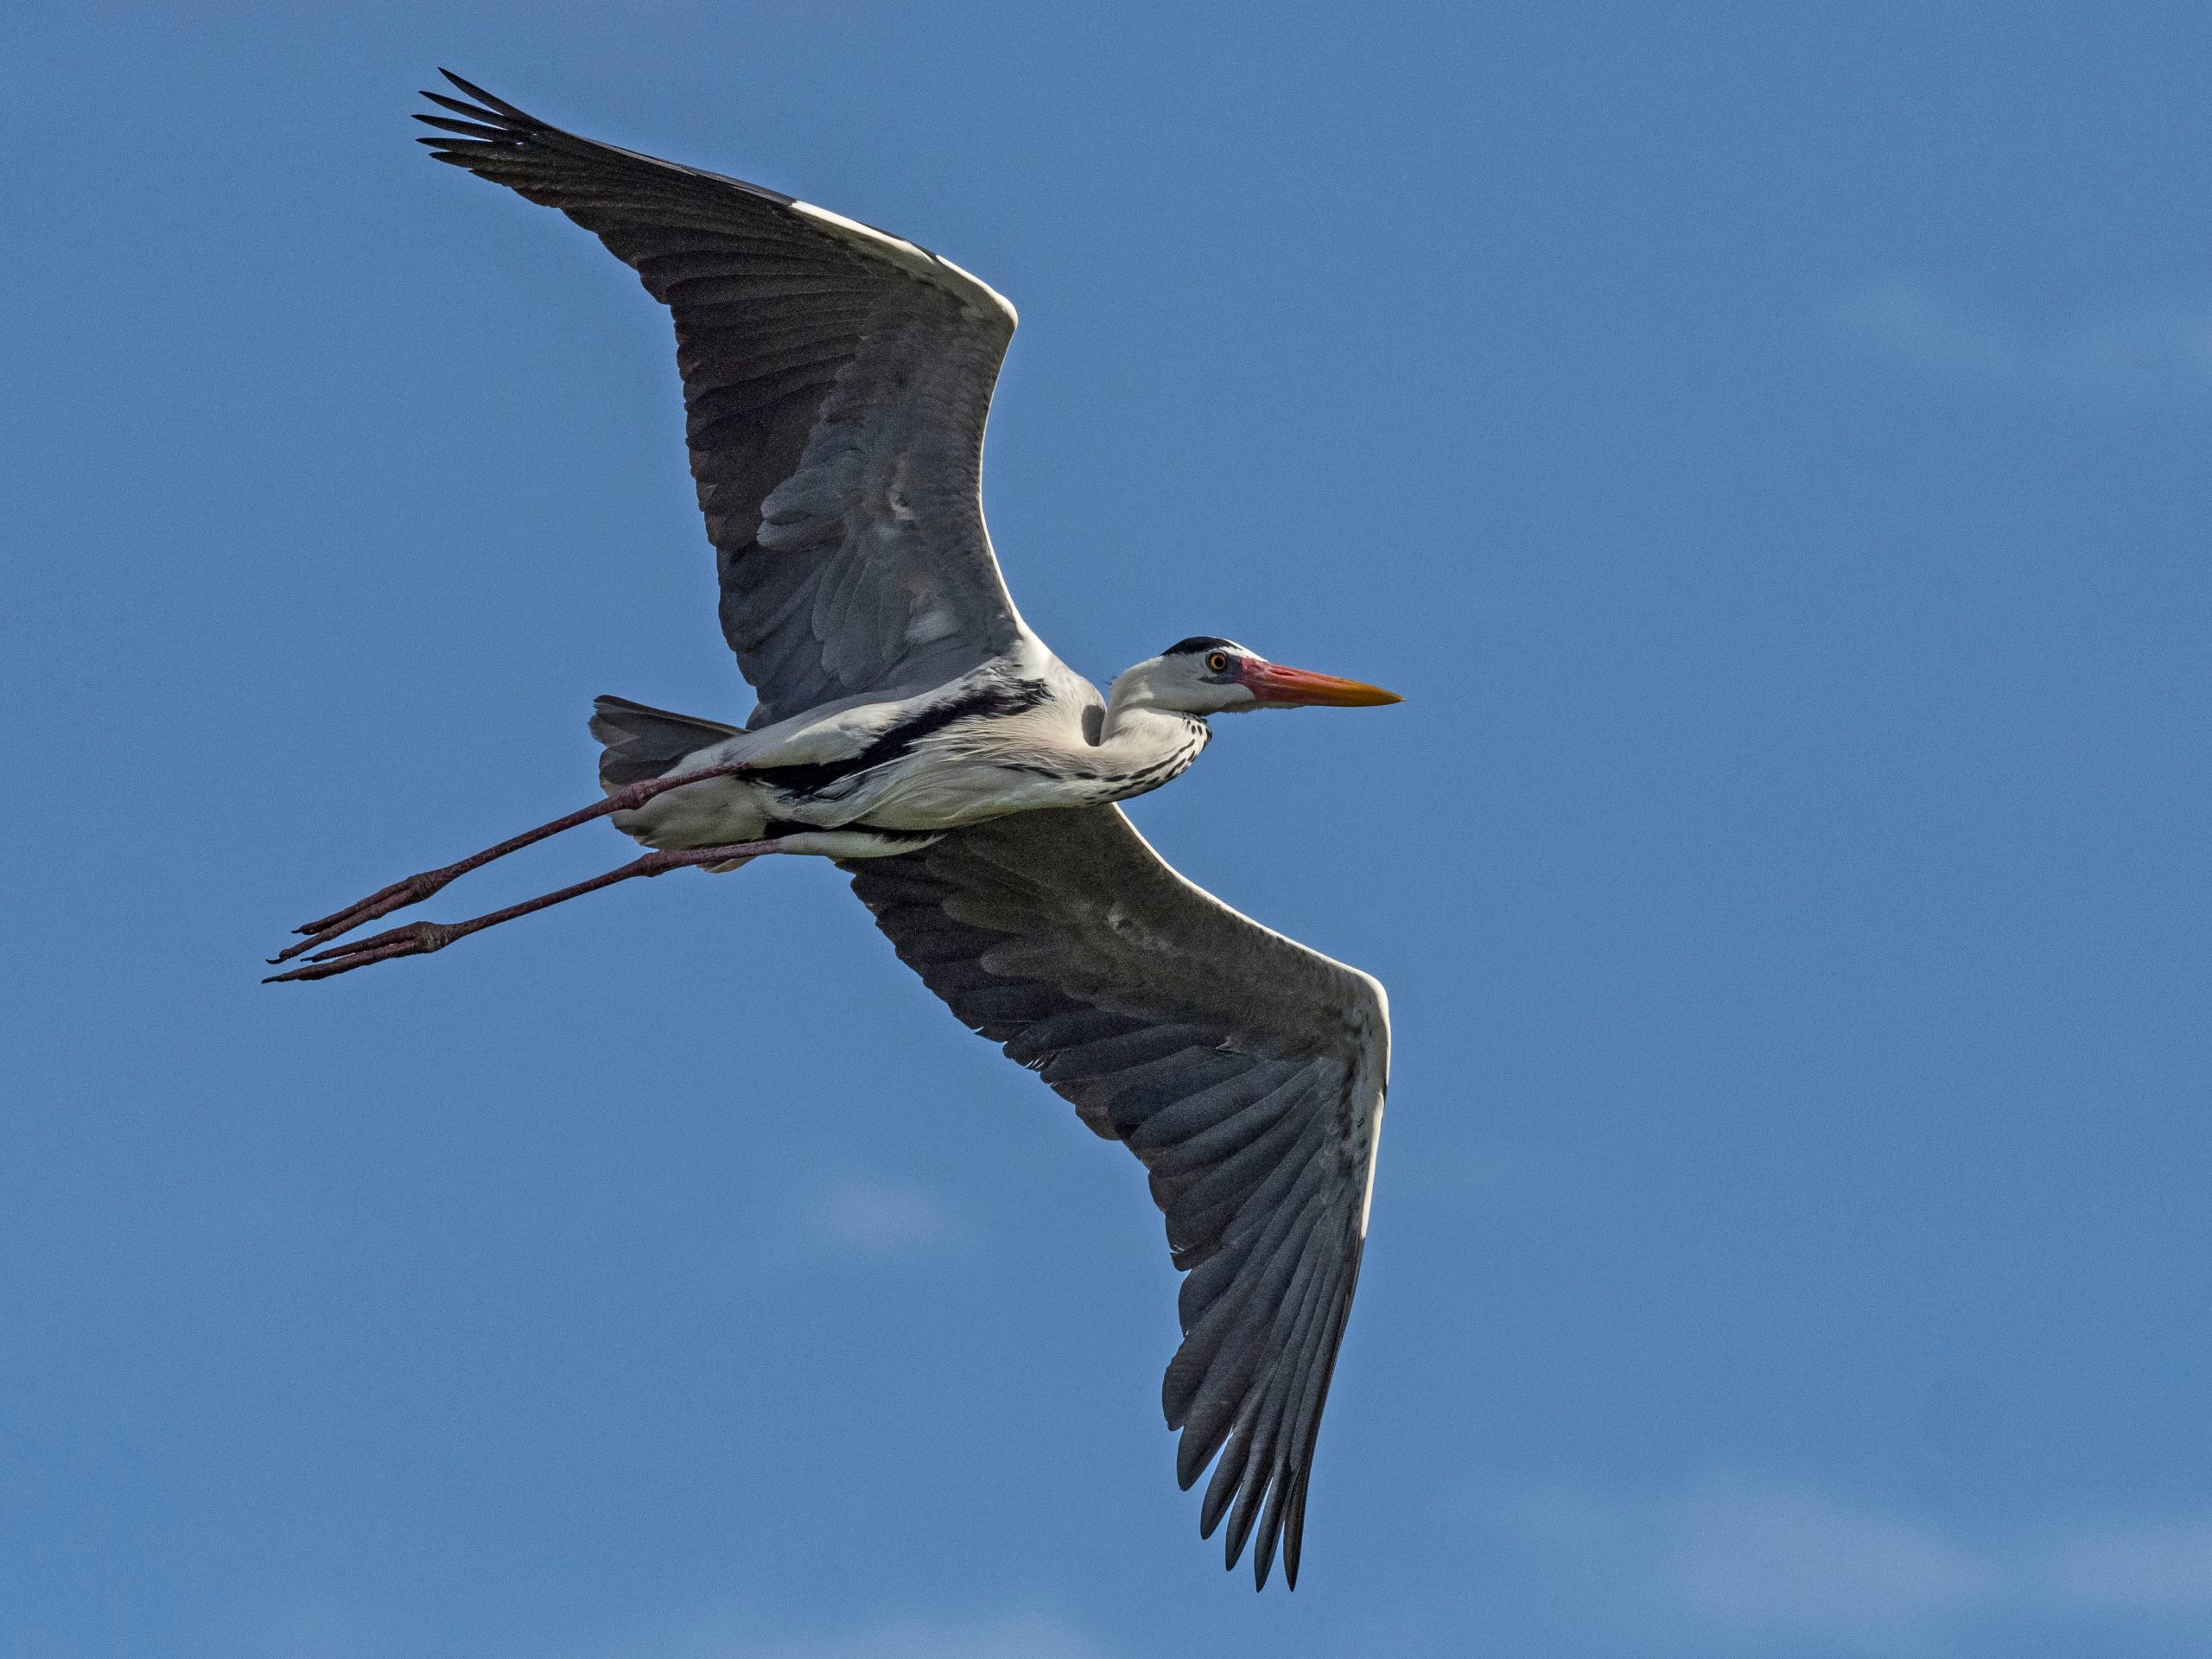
x=1242, y=1067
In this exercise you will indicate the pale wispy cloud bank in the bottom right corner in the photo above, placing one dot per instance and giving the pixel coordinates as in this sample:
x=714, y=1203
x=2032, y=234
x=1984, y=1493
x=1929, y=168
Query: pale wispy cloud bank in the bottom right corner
x=1757, y=1567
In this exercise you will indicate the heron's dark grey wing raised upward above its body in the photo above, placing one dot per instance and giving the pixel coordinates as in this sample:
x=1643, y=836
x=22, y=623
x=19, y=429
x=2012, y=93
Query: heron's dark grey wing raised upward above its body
x=835, y=382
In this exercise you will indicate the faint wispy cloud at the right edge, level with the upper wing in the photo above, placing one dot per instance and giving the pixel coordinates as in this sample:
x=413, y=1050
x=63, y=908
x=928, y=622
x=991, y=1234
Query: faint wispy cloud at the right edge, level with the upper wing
x=2125, y=353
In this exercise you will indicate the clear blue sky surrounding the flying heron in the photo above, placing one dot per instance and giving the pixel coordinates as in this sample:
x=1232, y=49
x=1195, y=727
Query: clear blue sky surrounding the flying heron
x=1764, y=444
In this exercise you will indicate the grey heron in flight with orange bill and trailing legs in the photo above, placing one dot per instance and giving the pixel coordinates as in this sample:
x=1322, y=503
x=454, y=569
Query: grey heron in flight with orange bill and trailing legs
x=917, y=733
